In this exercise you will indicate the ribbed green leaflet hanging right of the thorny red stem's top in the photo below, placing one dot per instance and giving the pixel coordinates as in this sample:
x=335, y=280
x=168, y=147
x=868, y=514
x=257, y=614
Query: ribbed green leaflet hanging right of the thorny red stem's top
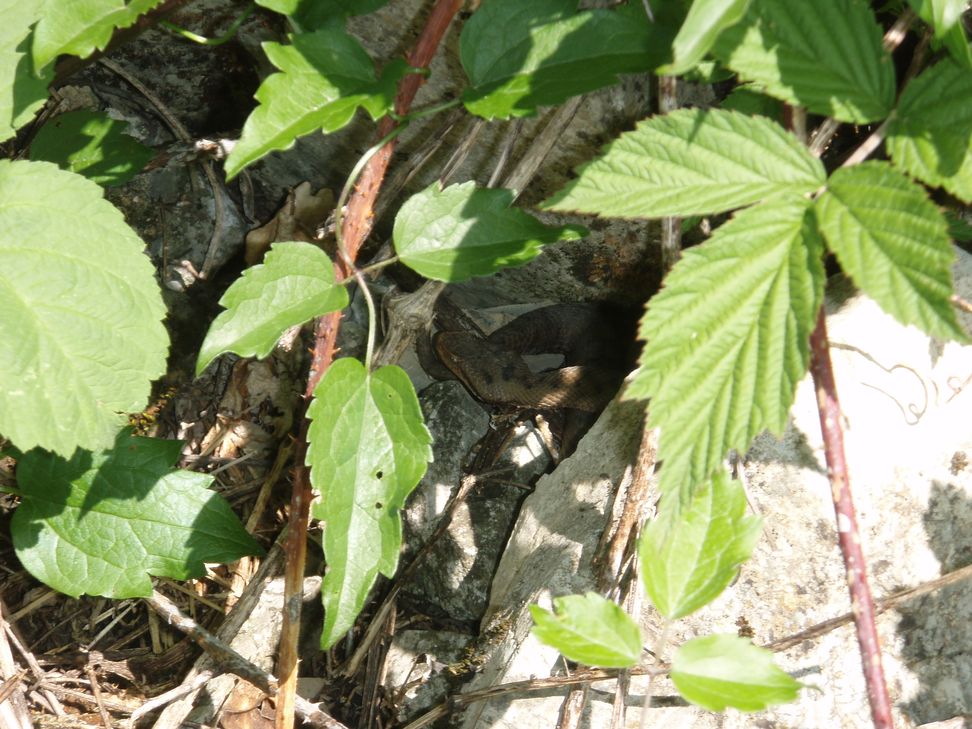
x=892, y=240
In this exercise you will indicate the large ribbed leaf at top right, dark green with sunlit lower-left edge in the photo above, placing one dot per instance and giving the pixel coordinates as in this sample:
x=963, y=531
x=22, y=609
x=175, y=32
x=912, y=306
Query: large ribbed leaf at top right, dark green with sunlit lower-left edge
x=826, y=56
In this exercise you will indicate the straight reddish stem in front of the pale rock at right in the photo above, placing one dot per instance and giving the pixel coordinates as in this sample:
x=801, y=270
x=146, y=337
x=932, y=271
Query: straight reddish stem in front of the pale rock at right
x=848, y=534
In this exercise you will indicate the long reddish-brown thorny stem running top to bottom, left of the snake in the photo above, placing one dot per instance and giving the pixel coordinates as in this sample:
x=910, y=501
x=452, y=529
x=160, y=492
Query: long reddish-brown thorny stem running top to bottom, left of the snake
x=358, y=221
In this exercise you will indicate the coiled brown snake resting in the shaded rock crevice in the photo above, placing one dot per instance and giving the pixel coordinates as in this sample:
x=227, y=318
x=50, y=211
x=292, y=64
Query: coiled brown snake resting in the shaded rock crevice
x=596, y=343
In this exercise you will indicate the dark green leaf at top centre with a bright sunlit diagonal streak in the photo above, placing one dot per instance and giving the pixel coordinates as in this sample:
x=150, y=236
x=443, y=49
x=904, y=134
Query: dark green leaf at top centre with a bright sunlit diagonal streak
x=522, y=55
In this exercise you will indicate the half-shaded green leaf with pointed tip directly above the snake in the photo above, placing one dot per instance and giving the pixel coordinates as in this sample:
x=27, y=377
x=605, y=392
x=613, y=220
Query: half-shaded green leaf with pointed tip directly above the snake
x=465, y=231
